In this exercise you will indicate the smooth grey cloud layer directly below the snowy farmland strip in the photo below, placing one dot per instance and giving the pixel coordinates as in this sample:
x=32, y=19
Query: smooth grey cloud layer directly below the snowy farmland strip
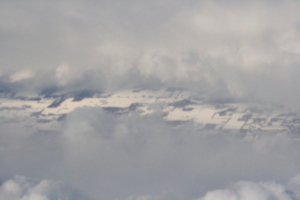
x=108, y=157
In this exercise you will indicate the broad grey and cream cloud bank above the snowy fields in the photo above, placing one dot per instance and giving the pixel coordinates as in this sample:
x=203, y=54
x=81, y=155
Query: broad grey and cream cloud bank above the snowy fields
x=243, y=49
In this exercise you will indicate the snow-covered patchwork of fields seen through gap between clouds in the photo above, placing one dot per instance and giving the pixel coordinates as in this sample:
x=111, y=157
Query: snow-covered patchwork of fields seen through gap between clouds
x=174, y=105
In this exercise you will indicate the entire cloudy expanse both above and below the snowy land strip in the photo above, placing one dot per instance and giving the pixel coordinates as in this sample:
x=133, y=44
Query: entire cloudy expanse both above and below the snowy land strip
x=240, y=49
